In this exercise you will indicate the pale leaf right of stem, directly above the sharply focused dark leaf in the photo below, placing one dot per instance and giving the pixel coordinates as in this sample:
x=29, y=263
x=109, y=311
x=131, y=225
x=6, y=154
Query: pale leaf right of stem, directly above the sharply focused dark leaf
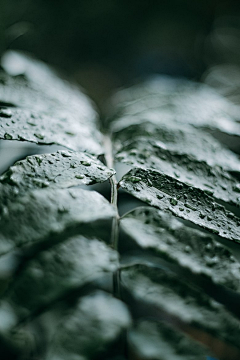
x=182, y=167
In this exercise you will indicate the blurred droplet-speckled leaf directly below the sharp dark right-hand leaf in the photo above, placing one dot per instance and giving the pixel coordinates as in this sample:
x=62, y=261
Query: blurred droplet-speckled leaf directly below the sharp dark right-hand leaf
x=166, y=237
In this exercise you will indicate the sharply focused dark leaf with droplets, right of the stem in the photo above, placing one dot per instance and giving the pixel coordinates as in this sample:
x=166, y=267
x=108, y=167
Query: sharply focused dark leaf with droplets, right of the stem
x=195, y=205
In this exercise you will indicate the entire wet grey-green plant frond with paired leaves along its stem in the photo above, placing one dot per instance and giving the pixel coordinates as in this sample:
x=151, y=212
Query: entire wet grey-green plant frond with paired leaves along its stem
x=147, y=285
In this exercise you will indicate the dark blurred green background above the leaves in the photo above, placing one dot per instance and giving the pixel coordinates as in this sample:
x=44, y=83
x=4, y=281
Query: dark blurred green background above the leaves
x=109, y=43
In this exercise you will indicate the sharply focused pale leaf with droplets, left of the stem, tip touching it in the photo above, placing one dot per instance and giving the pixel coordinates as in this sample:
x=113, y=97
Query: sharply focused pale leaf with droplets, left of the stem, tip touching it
x=61, y=170
